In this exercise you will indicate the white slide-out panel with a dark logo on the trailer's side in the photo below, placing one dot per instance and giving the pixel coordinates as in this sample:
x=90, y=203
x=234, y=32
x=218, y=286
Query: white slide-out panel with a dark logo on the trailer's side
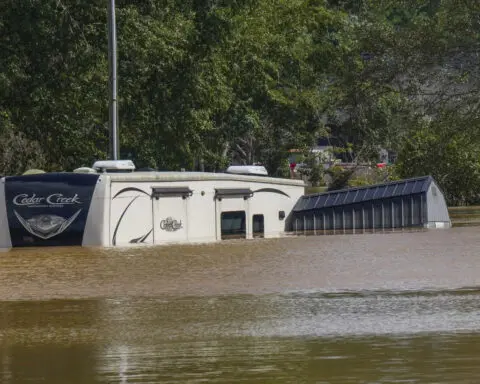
x=170, y=210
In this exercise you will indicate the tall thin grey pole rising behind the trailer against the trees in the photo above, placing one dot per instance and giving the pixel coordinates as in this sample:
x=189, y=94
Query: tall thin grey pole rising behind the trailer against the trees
x=112, y=80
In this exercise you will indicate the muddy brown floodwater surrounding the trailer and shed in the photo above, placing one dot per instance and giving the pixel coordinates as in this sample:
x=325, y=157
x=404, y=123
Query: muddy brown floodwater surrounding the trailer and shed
x=398, y=307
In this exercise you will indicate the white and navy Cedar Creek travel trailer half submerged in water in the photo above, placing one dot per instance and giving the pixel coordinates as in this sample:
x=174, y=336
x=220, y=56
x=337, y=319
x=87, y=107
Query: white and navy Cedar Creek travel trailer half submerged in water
x=111, y=205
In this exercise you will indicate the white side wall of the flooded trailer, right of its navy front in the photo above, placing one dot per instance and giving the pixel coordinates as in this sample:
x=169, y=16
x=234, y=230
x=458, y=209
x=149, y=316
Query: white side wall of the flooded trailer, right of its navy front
x=137, y=218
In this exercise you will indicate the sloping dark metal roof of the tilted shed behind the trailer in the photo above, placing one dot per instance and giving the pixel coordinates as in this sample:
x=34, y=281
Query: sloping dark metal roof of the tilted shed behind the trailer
x=363, y=194
